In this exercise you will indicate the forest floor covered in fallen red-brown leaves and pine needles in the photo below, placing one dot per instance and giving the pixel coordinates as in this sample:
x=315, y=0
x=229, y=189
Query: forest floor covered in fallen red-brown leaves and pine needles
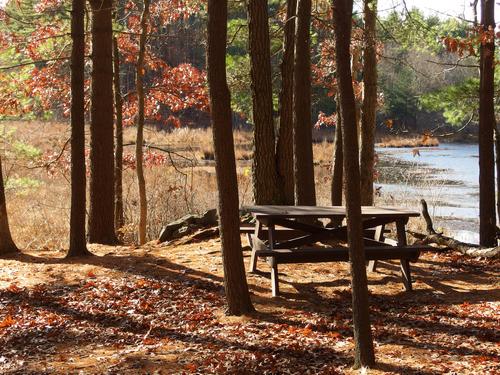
x=160, y=309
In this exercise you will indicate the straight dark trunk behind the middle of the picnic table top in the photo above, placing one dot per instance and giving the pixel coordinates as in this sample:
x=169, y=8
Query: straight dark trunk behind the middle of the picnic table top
x=305, y=192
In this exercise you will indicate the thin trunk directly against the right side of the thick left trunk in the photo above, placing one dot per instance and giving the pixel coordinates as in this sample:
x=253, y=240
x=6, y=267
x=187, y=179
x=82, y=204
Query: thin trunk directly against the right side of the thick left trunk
x=119, y=220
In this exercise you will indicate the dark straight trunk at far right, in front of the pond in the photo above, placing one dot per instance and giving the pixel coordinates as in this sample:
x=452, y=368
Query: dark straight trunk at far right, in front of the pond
x=487, y=214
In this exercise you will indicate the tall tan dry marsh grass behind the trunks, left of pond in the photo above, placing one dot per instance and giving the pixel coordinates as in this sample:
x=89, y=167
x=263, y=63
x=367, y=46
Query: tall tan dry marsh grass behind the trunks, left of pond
x=39, y=216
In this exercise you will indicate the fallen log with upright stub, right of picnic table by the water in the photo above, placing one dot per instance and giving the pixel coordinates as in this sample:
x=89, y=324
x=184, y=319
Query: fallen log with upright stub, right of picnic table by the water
x=432, y=237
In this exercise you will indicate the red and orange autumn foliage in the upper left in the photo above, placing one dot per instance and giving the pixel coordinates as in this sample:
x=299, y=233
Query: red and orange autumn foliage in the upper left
x=35, y=62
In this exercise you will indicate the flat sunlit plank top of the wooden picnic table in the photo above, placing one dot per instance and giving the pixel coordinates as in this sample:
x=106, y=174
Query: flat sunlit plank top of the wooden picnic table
x=270, y=211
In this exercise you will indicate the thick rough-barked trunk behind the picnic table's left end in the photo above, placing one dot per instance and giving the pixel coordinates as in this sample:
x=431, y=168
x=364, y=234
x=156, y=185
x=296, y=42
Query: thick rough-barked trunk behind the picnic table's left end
x=265, y=174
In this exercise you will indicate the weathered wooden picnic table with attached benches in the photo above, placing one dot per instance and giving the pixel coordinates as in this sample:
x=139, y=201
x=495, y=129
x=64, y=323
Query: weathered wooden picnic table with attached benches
x=285, y=234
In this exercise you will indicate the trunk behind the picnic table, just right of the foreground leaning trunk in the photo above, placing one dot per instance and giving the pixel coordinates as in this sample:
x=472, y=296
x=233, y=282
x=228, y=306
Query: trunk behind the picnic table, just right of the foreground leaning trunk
x=369, y=106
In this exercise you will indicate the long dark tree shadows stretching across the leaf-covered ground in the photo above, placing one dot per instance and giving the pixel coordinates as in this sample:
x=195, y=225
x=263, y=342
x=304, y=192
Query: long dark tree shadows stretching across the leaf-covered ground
x=389, y=309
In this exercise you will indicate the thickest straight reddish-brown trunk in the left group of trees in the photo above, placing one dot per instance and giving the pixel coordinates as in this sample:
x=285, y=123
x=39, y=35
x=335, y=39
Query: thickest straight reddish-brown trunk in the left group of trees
x=102, y=195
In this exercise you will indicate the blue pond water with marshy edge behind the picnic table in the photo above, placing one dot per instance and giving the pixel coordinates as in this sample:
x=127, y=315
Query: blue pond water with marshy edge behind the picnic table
x=446, y=176
